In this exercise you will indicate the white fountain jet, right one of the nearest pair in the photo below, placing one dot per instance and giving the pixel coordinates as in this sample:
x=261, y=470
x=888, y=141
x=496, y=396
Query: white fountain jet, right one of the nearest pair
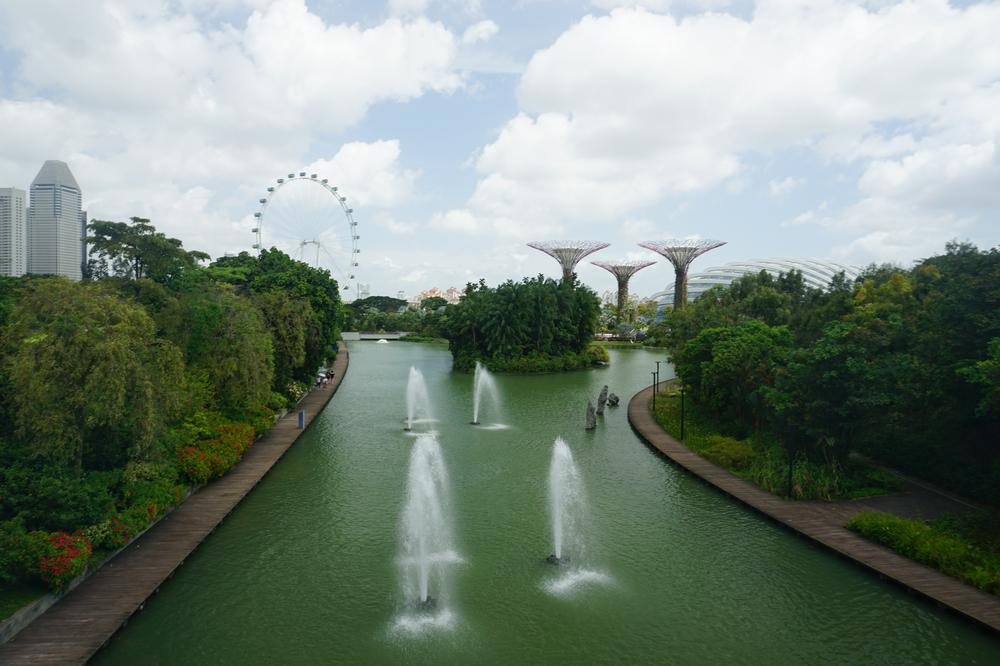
x=566, y=505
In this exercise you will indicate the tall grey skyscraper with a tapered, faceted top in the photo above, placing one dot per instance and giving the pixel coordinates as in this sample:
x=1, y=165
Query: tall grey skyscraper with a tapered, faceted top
x=55, y=218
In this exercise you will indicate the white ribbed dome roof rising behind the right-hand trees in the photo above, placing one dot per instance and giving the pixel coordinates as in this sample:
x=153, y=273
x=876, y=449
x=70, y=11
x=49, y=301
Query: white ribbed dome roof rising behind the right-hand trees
x=815, y=273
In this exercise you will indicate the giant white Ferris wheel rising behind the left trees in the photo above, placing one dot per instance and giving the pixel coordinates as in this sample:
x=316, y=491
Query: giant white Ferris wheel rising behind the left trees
x=309, y=219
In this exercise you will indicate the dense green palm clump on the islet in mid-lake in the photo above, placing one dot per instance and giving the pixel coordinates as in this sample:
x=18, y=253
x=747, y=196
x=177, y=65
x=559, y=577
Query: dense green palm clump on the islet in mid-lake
x=537, y=319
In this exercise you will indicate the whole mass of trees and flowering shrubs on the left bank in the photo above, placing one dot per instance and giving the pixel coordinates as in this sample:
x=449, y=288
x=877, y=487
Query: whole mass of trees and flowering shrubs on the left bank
x=155, y=368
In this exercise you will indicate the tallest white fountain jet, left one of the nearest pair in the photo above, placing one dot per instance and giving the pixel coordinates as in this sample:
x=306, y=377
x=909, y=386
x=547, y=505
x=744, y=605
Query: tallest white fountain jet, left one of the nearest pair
x=426, y=546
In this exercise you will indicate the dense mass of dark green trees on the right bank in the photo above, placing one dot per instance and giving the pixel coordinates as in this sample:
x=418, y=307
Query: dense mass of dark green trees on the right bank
x=902, y=366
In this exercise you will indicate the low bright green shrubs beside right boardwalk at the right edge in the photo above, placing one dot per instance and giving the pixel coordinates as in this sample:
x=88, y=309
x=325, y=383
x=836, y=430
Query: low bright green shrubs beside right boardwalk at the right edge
x=941, y=544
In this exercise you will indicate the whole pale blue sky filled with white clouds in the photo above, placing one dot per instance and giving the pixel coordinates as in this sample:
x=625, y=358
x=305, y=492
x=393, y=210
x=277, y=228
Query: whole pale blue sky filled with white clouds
x=459, y=130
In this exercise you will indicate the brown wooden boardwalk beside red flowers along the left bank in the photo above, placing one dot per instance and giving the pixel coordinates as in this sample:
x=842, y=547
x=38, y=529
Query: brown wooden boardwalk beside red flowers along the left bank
x=75, y=628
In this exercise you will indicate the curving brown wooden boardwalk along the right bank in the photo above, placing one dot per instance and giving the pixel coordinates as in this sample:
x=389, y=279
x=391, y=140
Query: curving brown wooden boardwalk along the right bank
x=822, y=522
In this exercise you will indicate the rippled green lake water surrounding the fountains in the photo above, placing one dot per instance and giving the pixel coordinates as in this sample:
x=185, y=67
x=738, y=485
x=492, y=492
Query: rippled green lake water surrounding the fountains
x=304, y=571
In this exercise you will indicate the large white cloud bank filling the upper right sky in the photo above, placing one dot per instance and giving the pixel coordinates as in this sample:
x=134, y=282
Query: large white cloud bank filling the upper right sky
x=627, y=109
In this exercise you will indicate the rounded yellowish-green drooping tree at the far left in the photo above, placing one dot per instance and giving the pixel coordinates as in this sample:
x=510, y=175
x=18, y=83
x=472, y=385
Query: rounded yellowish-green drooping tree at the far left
x=86, y=369
